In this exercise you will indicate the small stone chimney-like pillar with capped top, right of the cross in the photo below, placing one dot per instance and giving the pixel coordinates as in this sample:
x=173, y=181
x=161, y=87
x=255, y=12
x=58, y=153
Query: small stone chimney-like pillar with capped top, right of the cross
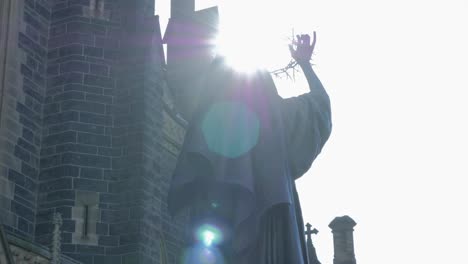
x=342, y=229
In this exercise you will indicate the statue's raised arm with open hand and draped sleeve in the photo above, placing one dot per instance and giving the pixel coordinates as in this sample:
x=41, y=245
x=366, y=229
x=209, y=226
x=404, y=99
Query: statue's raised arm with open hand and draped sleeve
x=307, y=117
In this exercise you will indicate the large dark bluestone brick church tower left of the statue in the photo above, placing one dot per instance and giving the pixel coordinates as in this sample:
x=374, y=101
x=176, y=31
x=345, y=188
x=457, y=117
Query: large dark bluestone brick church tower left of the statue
x=88, y=130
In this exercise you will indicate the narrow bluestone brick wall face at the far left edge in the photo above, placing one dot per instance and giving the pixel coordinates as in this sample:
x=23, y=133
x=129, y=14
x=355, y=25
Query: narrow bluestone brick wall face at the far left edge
x=21, y=115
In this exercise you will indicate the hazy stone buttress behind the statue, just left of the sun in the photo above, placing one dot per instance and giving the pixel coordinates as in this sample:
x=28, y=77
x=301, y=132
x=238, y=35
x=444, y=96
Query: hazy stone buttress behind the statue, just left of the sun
x=189, y=54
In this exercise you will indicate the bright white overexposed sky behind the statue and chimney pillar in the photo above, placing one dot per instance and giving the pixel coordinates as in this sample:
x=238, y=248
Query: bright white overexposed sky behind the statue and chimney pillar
x=397, y=75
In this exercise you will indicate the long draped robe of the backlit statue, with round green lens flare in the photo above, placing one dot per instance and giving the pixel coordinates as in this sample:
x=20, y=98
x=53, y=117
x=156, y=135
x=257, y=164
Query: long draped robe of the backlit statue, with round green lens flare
x=244, y=148
